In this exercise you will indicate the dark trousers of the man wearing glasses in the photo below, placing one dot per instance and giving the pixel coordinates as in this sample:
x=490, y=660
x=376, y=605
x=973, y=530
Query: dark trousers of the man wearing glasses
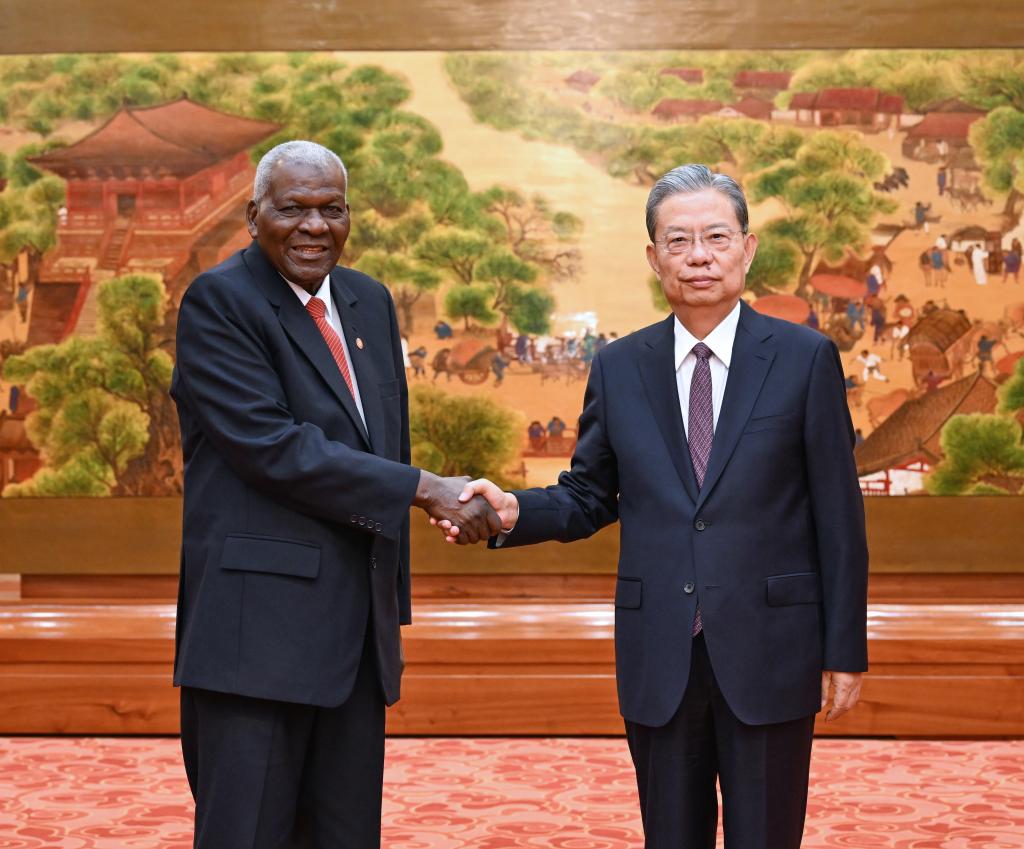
x=763, y=771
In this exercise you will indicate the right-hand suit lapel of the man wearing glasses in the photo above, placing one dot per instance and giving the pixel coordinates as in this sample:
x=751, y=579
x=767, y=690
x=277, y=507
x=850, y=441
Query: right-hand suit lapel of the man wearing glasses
x=752, y=358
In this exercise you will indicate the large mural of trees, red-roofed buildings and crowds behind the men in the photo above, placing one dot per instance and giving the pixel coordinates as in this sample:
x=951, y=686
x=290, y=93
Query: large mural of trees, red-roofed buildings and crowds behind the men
x=501, y=199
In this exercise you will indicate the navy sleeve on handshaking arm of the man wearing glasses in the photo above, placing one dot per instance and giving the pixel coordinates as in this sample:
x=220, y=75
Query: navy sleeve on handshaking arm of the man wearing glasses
x=586, y=498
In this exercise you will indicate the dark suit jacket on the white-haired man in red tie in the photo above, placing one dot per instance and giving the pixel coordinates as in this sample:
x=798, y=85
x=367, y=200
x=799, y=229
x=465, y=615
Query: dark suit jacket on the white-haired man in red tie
x=296, y=520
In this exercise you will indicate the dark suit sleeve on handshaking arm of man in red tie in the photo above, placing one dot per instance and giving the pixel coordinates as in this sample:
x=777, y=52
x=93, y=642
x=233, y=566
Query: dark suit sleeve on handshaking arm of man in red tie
x=228, y=381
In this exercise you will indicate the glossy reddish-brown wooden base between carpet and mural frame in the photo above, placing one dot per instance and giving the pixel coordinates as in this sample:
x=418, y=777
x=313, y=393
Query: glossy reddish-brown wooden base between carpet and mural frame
x=505, y=668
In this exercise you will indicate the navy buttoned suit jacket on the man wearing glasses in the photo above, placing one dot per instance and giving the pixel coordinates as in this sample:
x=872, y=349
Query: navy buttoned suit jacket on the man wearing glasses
x=773, y=545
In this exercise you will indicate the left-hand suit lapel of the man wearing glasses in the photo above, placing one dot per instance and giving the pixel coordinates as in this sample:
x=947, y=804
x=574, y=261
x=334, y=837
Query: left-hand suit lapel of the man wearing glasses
x=658, y=374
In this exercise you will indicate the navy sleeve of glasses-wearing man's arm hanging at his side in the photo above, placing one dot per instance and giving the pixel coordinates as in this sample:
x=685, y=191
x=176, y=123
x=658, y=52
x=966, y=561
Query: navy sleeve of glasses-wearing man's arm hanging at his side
x=839, y=514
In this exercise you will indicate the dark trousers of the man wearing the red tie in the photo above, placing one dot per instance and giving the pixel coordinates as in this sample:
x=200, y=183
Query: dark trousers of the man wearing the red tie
x=277, y=776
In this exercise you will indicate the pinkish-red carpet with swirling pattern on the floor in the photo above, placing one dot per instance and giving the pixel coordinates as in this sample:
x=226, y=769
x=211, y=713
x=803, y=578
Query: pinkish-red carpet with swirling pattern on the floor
x=507, y=794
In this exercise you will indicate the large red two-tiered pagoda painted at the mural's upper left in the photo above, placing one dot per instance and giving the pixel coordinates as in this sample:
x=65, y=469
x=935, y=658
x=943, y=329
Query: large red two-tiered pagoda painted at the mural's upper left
x=153, y=188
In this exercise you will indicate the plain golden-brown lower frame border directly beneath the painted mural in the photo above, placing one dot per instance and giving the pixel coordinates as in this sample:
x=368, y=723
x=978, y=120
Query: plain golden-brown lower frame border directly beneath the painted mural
x=127, y=536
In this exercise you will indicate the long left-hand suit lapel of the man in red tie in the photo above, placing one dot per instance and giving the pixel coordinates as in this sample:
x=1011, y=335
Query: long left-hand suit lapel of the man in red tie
x=302, y=328
